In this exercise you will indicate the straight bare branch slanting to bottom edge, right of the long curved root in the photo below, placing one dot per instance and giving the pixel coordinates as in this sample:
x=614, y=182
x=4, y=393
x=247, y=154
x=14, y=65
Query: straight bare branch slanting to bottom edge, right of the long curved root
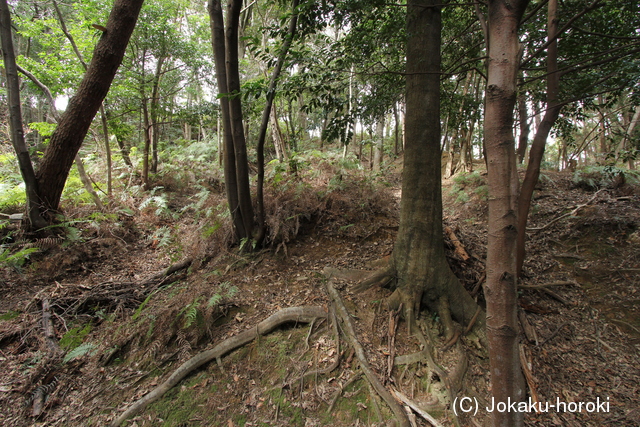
x=349, y=330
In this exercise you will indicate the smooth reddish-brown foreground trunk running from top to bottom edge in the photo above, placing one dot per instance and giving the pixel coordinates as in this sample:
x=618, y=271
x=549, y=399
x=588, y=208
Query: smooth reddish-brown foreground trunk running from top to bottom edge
x=500, y=289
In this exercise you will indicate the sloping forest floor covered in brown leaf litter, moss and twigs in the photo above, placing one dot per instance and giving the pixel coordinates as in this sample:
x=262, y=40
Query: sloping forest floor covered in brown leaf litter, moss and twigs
x=124, y=328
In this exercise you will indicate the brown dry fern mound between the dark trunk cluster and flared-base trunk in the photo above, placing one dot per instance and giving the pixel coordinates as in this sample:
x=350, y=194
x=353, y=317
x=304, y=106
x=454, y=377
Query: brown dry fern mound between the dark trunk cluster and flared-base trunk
x=329, y=191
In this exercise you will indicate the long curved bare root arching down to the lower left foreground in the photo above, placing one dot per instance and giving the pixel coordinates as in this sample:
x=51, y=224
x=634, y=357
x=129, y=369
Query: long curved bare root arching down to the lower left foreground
x=291, y=314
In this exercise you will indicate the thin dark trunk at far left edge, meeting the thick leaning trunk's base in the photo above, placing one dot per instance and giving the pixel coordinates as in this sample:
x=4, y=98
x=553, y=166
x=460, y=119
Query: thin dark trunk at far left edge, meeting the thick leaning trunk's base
x=34, y=212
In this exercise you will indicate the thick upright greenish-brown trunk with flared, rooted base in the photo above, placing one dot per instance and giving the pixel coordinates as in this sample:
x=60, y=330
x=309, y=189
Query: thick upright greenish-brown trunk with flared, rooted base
x=418, y=255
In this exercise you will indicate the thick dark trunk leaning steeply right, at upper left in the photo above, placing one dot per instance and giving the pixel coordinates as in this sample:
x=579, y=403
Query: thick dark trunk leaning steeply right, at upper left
x=68, y=136
